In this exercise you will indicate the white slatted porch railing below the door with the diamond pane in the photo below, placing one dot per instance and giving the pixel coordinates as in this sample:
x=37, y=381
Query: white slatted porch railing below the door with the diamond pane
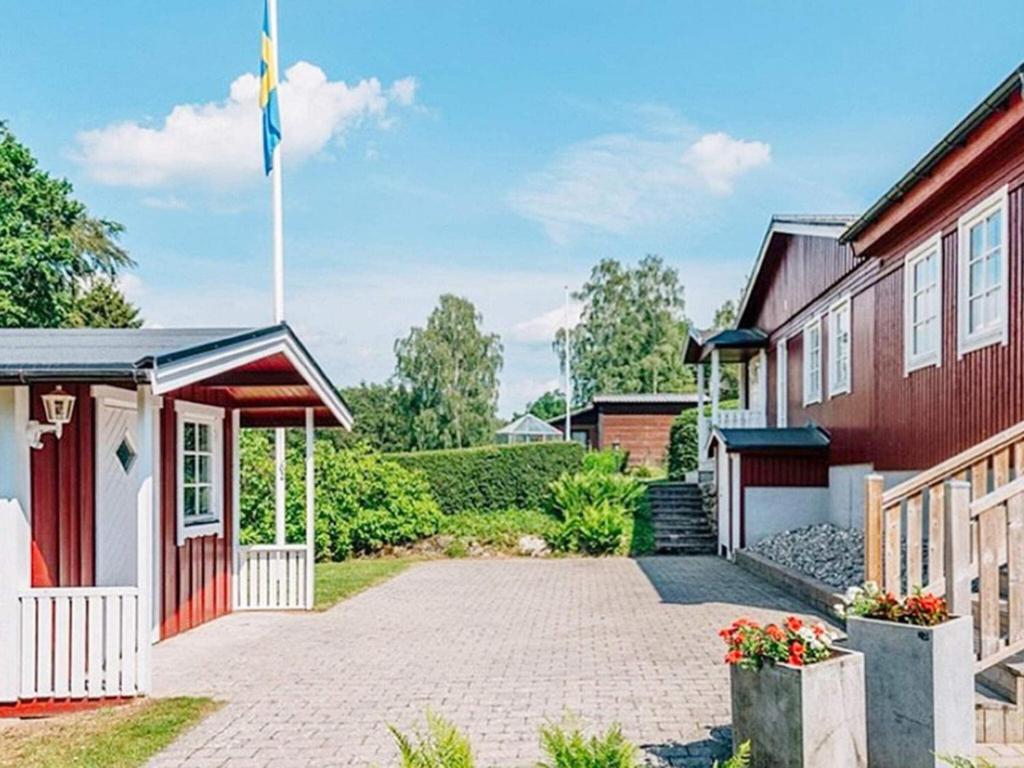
x=79, y=643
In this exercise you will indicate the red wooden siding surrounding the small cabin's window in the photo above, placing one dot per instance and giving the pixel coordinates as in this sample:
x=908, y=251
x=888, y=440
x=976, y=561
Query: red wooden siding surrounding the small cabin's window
x=197, y=576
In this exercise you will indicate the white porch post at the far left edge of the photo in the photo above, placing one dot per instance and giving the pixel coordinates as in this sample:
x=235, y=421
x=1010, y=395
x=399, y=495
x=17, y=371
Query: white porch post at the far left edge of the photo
x=16, y=532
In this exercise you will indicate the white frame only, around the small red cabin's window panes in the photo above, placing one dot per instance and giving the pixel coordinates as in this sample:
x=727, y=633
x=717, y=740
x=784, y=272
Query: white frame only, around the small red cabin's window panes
x=215, y=418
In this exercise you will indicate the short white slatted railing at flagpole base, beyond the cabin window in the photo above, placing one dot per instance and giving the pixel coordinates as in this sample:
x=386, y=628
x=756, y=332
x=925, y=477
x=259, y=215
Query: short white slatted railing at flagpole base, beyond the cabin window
x=273, y=577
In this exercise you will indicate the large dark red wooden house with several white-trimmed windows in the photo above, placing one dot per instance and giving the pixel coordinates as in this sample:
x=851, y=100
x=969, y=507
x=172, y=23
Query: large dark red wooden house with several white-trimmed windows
x=889, y=344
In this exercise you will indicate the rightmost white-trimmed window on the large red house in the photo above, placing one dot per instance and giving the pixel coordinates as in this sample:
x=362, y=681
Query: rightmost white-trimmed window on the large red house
x=982, y=302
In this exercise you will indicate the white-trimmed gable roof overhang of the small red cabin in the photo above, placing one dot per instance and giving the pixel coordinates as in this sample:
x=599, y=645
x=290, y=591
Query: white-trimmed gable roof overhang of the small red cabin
x=199, y=365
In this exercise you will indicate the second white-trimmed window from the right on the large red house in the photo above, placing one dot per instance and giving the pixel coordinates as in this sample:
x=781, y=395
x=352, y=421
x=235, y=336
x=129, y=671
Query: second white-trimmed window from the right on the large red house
x=923, y=306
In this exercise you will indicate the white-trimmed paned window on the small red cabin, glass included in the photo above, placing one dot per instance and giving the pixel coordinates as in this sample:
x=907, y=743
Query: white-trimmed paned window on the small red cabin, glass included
x=200, y=471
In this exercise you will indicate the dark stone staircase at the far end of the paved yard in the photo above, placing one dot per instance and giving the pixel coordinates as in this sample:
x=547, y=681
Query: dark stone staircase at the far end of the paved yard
x=681, y=528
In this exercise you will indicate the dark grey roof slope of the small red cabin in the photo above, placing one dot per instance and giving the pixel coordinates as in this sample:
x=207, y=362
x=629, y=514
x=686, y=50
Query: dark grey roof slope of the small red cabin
x=100, y=353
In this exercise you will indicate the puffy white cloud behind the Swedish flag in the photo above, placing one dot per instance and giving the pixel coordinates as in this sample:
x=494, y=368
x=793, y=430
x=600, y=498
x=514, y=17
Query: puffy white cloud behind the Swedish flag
x=221, y=142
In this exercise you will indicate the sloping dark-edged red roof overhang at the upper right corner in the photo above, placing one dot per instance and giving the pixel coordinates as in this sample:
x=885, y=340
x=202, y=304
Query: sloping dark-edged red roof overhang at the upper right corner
x=1000, y=112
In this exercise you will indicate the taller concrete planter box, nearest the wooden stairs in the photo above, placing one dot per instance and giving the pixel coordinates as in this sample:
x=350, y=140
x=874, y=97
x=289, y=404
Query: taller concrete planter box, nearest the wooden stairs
x=920, y=691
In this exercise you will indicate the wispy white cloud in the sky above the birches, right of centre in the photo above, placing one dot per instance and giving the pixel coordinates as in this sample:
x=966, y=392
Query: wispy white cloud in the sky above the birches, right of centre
x=616, y=183
